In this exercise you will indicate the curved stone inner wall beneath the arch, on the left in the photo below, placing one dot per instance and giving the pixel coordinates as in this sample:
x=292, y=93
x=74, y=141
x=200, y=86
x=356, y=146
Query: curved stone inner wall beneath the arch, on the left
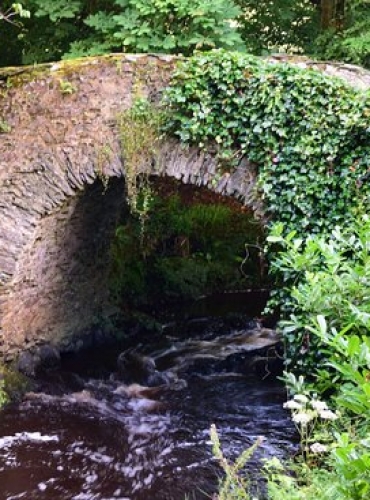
x=61, y=283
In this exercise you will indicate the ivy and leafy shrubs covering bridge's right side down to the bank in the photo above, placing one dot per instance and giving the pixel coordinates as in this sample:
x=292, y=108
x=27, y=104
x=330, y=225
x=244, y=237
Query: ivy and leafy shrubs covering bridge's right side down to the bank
x=309, y=136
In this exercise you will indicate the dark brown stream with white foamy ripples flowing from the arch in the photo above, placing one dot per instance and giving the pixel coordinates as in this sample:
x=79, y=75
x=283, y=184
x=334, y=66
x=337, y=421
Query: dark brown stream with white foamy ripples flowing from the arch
x=85, y=437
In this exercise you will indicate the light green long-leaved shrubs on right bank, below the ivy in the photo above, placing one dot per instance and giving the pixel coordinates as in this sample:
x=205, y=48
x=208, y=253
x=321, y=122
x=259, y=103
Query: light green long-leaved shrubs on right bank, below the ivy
x=330, y=304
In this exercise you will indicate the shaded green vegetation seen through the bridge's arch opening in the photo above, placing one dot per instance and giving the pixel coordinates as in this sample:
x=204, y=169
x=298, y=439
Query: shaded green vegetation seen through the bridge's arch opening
x=186, y=250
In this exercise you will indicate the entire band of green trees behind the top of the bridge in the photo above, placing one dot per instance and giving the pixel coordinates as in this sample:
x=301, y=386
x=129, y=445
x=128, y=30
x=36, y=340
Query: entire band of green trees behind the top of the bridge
x=334, y=29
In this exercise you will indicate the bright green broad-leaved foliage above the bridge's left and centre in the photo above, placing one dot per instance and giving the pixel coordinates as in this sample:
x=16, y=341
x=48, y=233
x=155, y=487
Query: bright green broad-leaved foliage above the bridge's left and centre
x=75, y=28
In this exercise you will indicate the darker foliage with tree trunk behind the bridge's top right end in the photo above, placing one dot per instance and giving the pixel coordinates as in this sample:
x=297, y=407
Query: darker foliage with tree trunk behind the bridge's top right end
x=290, y=26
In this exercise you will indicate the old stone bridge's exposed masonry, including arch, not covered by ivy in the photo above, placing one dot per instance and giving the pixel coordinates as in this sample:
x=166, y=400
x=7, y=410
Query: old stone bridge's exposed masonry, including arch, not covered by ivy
x=59, y=141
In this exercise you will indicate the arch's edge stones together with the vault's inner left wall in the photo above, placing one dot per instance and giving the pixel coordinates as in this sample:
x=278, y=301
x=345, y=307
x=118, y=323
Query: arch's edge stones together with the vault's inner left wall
x=58, y=222
